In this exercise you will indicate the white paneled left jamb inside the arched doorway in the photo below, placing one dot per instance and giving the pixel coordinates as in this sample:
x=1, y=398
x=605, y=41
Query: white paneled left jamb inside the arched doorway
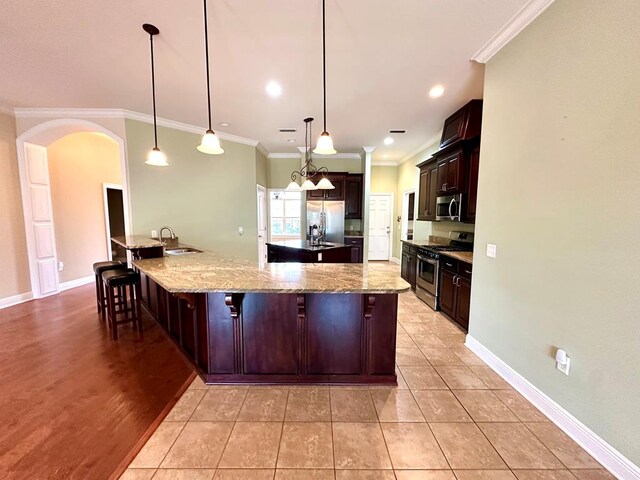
x=39, y=221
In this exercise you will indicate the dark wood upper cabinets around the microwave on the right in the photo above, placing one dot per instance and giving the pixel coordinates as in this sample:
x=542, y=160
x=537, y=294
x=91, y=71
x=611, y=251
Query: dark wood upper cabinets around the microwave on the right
x=454, y=168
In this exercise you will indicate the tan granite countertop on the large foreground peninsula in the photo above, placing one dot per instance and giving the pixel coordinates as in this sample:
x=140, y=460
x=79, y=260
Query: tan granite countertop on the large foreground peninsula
x=210, y=272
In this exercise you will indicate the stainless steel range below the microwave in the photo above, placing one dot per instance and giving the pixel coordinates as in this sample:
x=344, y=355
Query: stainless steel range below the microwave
x=428, y=267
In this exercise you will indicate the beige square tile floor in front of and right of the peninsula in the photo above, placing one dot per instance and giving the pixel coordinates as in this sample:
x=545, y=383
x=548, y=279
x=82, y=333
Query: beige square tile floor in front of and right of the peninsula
x=451, y=417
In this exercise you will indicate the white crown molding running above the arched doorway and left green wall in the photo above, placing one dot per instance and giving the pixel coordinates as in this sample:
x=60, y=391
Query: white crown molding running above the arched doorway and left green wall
x=125, y=114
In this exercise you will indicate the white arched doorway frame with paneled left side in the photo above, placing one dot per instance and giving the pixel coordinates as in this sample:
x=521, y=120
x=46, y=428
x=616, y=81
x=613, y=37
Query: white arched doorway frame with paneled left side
x=35, y=186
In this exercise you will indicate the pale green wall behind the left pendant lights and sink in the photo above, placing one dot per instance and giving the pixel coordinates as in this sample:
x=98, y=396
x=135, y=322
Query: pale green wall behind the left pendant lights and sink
x=204, y=198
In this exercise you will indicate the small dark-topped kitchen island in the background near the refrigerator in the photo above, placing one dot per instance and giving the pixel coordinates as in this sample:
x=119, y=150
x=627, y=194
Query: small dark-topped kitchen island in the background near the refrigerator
x=303, y=251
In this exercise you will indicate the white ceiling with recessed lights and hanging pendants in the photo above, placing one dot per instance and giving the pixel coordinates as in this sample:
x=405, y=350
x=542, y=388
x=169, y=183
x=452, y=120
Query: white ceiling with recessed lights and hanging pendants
x=382, y=58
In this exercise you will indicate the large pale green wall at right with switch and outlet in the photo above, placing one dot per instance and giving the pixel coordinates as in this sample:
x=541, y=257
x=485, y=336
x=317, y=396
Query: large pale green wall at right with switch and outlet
x=559, y=194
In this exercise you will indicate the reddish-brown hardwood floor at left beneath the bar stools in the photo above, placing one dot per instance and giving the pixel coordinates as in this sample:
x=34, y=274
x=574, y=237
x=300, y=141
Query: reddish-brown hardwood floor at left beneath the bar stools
x=73, y=403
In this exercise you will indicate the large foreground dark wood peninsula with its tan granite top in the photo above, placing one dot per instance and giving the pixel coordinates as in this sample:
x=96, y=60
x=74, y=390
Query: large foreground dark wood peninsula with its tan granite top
x=238, y=322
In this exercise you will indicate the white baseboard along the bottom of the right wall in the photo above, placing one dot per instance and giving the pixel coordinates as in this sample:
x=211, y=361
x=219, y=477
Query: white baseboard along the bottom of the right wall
x=599, y=449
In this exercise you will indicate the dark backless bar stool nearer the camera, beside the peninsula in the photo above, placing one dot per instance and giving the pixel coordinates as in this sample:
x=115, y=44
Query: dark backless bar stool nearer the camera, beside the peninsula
x=122, y=296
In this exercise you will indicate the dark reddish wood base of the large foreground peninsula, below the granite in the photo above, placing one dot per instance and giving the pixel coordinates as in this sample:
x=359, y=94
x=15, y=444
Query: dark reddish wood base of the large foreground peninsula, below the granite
x=281, y=338
